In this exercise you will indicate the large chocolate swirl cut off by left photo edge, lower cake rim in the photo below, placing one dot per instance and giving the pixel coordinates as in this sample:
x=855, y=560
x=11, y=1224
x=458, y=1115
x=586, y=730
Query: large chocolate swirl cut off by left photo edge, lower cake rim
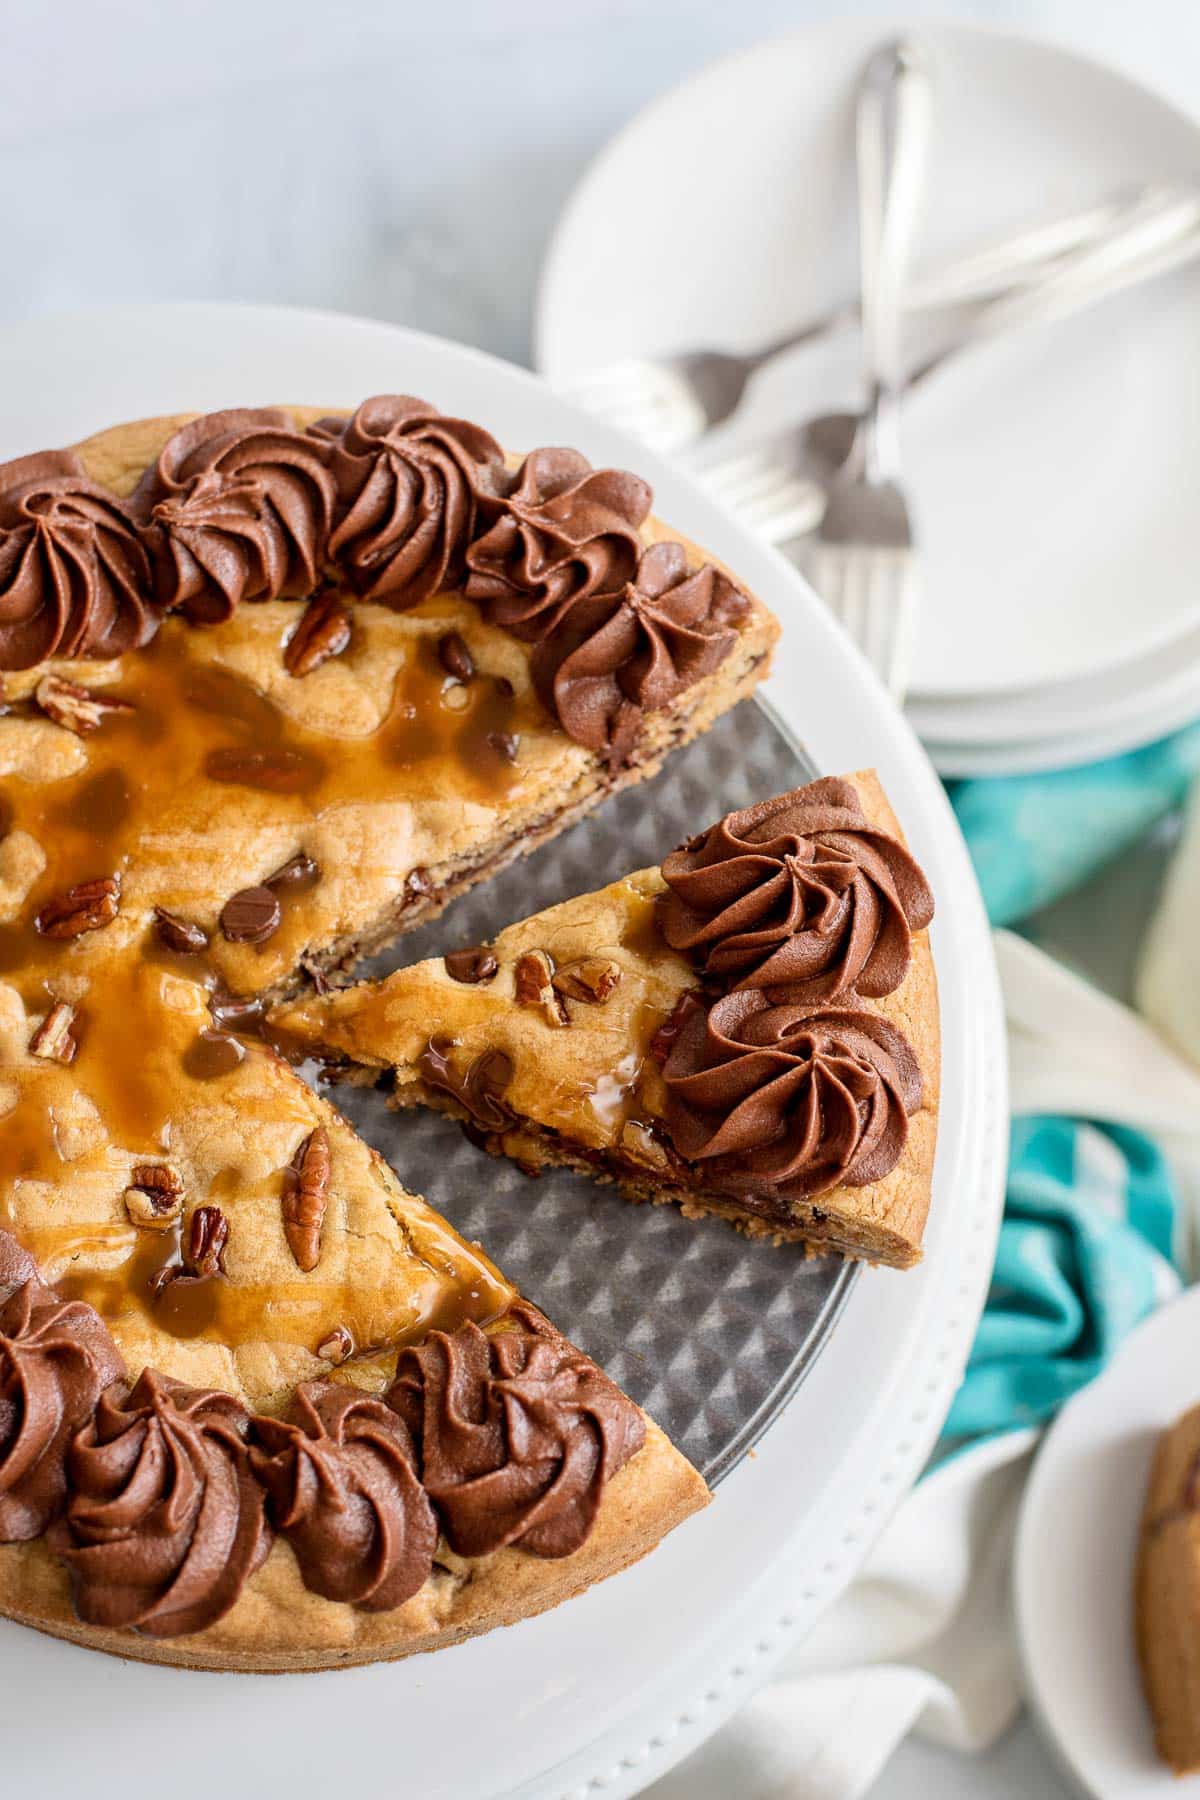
x=55, y=1362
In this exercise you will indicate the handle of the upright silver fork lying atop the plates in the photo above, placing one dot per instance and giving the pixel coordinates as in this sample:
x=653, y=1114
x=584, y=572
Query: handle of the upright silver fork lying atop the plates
x=893, y=129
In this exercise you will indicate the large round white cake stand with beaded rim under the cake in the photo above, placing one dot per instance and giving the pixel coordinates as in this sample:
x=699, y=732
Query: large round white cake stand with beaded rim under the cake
x=573, y=1698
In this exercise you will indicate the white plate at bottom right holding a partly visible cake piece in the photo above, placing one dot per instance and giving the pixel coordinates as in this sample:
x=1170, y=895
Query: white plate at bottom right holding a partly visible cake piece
x=1075, y=1560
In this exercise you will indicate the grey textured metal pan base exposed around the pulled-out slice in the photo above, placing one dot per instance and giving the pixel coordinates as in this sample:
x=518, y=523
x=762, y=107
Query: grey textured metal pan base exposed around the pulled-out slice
x=712, y=1333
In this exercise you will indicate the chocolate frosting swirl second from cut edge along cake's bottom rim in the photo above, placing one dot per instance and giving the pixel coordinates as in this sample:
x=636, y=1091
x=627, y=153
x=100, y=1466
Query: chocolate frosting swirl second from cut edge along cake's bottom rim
x=341, y=1484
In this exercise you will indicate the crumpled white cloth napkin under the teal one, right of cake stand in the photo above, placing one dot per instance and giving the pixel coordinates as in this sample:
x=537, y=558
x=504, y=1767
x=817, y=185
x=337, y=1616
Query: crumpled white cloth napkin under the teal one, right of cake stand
x=924, y=1639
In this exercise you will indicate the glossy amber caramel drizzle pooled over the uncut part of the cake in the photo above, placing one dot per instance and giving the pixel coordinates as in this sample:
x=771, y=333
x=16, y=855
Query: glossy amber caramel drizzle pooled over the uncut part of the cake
x=163, y=764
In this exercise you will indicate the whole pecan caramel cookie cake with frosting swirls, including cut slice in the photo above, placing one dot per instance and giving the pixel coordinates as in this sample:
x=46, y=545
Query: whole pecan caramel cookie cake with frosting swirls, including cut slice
x=280, y=685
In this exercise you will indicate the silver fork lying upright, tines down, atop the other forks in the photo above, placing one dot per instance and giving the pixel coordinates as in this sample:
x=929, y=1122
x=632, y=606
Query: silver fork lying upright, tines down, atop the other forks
x=864, y=561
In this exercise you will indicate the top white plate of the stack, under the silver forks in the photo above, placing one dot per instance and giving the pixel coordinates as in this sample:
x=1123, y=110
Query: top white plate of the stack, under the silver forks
x=1053, y=476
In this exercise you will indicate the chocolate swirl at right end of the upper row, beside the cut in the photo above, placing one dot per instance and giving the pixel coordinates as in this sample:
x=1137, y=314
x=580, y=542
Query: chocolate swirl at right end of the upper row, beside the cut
x=618, y=660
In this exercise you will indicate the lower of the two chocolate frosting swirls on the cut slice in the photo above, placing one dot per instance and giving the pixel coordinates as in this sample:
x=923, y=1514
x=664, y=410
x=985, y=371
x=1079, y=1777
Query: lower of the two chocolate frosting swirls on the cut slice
x=787, y=1097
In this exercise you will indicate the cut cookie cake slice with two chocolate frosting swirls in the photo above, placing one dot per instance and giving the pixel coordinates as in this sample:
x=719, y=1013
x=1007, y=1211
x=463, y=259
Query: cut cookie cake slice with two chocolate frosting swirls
x=749, y=1030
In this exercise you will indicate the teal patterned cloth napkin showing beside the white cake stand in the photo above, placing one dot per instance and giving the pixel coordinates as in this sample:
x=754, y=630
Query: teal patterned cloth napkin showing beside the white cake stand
x=1091, y=1212
